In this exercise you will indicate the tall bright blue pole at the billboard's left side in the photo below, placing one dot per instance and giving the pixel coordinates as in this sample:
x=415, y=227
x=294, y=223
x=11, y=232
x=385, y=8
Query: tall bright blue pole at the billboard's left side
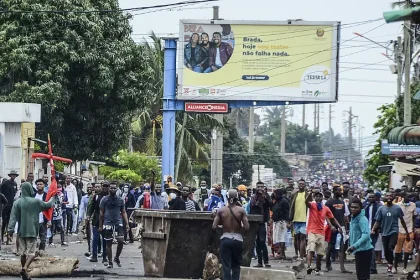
x=169, y=109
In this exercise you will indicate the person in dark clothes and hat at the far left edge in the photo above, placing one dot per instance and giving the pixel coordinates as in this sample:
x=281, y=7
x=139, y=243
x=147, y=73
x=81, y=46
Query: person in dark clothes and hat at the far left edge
x=9, y=190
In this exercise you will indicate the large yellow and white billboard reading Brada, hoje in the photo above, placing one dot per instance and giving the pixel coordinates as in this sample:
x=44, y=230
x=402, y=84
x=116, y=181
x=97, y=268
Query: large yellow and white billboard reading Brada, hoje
x=258, y=61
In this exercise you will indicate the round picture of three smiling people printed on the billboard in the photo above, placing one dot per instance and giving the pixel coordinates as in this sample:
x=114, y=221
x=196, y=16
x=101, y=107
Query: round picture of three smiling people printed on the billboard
x=205, y=55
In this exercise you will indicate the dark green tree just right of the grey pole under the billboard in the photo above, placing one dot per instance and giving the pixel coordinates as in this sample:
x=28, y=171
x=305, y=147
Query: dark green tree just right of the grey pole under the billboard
x=237, y=163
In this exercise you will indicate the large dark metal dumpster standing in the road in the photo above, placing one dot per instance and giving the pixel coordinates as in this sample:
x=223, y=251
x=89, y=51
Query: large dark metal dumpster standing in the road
x=175, y=243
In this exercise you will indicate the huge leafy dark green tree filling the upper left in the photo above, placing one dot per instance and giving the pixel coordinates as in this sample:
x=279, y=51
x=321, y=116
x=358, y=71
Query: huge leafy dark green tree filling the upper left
x=82, y=67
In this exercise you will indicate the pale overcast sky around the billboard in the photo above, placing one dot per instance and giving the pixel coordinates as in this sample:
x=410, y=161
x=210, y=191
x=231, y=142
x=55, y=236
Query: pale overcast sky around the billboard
x=362, y=89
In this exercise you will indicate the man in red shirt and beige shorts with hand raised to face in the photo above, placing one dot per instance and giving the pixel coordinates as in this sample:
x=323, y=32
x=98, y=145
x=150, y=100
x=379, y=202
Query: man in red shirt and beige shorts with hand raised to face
x=318, y=214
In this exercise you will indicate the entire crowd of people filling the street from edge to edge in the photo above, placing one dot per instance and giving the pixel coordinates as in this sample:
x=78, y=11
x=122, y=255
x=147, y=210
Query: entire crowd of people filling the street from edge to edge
x=325, y=223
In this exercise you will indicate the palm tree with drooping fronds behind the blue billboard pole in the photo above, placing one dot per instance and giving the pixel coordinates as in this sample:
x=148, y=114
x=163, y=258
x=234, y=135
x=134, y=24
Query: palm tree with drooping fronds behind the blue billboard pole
x=147, y=123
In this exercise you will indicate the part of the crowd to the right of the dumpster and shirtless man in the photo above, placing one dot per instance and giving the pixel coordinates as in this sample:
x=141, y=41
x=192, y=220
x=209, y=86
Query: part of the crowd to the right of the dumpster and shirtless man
x=329, y=222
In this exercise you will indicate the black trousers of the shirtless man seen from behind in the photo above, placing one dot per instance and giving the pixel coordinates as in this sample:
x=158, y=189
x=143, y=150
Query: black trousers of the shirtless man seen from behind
x=231, y=258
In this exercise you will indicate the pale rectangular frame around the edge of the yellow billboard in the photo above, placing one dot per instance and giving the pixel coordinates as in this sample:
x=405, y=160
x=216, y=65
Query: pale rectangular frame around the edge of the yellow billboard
x=334, y=64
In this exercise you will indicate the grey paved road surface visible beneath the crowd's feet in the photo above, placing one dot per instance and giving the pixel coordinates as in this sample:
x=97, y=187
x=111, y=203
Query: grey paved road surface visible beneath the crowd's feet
x=132, y=262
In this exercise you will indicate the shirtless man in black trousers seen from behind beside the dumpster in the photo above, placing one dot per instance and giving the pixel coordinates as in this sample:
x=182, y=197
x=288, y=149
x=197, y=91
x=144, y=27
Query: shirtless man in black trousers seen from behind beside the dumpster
x=232, y=218
